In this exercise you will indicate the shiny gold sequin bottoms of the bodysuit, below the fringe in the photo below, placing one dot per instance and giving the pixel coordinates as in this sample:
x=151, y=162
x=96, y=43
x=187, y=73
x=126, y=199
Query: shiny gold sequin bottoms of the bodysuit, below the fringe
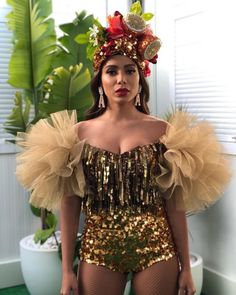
x=126, y=241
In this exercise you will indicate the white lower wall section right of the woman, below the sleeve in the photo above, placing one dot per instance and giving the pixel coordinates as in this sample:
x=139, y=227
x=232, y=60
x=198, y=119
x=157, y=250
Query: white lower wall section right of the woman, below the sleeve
x=214, y=237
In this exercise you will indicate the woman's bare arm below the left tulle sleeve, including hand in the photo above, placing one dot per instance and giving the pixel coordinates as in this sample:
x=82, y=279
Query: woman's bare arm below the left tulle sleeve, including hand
x=69, y=217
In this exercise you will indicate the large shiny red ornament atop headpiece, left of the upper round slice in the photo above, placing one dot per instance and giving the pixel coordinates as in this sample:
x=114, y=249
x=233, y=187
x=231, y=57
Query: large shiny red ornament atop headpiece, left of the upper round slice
x=115, y=29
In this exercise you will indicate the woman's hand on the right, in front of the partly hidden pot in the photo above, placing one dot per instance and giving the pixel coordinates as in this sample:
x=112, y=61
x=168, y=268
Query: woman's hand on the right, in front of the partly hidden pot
x=186, y=285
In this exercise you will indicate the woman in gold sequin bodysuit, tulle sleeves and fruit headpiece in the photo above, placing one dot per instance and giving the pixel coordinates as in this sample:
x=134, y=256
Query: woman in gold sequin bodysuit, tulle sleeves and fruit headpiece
x=136, y=175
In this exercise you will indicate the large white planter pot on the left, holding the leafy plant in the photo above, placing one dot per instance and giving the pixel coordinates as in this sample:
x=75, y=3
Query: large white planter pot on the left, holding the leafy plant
x=41, y=269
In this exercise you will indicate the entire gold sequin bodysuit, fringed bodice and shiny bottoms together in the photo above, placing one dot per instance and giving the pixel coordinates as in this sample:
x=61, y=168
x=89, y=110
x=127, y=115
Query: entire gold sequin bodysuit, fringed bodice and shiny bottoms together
x=126, y=225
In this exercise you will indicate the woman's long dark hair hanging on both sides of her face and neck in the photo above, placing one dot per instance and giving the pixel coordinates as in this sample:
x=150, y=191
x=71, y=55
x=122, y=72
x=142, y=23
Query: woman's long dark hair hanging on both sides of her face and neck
x=94, y=111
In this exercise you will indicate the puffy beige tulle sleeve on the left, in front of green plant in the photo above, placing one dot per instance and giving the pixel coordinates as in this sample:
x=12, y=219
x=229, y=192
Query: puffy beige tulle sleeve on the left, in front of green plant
x=50, y=165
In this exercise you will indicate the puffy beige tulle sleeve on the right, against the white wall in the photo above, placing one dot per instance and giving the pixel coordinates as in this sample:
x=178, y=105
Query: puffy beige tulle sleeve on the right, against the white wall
x=194, y=170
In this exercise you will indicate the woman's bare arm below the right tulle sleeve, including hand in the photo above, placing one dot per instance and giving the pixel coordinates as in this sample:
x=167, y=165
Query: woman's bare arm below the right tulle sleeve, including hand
x=178, y=224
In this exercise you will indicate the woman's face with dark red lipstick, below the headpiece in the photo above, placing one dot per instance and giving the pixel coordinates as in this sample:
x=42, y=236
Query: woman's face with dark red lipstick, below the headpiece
x=120, y=79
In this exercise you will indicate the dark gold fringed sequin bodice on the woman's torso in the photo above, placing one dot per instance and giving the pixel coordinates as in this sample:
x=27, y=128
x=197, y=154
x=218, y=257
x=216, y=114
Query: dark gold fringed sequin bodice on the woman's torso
x=116, y=181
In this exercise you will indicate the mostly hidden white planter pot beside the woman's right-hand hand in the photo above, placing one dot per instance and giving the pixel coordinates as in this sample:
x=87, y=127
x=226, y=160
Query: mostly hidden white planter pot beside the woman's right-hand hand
x=197, y=271
